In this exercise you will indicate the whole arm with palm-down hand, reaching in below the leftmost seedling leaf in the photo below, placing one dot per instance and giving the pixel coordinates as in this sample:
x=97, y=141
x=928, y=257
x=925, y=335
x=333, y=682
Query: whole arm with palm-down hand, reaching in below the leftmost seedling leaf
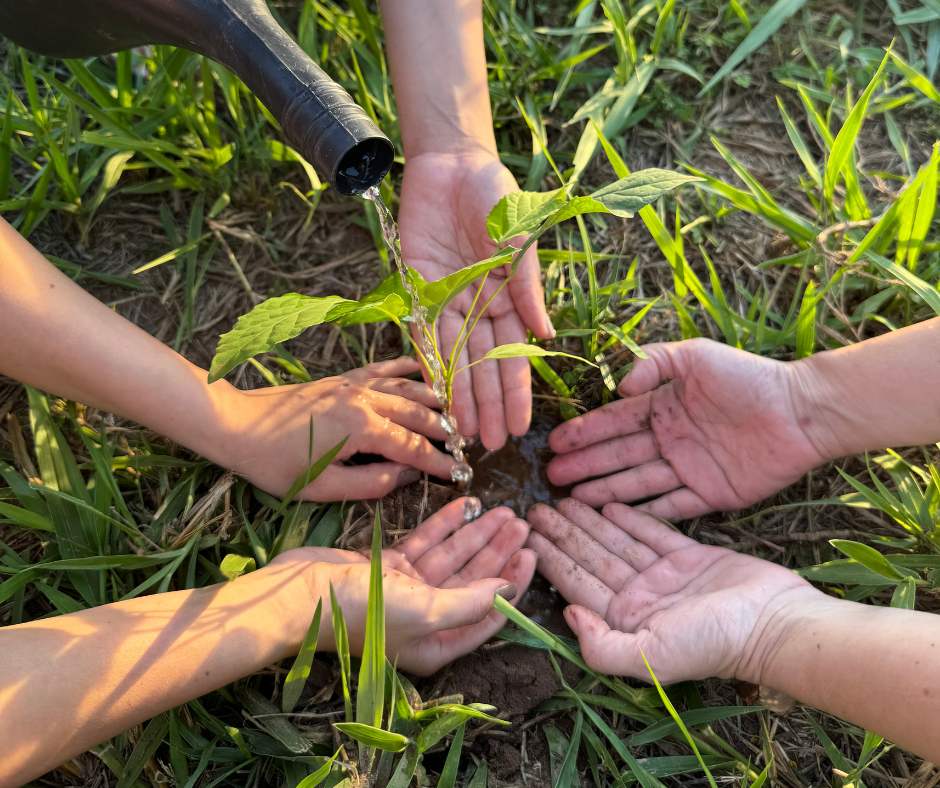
x=58, y=338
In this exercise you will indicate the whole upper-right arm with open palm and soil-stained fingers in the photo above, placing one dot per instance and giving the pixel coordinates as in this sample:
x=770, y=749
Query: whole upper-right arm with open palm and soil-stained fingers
x=730, y=428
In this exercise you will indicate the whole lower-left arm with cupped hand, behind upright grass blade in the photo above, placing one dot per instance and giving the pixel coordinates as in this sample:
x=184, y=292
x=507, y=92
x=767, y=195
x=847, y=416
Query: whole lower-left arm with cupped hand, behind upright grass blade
x=71, y=682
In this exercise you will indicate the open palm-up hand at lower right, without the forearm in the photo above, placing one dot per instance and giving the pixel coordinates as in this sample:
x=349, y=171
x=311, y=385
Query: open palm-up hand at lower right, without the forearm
x=695, y=611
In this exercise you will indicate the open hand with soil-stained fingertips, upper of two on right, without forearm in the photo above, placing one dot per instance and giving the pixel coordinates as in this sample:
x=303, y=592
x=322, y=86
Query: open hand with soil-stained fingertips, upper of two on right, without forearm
x=728, y=429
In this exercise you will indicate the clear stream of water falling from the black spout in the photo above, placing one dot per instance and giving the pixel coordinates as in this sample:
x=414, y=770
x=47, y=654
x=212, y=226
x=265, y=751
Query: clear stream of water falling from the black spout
x=461, y=473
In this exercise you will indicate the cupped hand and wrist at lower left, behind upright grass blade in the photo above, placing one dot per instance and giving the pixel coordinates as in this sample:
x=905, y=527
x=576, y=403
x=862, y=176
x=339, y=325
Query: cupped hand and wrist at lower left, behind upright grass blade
x=439, y=585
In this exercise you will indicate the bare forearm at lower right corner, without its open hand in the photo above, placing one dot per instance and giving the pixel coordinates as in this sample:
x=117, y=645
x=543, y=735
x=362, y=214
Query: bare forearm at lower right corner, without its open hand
x=875, y=667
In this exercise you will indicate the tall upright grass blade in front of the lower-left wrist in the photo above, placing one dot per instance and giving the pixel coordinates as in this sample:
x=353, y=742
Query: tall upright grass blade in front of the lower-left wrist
x=370, y=701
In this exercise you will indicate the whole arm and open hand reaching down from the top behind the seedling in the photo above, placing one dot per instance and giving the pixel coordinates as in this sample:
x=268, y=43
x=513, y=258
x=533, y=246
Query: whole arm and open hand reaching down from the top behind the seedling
x=453, y=177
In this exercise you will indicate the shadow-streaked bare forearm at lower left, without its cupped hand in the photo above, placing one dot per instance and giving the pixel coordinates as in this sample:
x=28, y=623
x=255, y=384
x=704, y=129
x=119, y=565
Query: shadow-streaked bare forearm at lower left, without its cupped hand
x=72, y=682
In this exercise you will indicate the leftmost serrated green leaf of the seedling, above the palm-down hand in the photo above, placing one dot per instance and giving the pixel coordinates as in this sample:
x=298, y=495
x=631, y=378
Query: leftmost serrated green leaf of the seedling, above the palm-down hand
x=273, y=321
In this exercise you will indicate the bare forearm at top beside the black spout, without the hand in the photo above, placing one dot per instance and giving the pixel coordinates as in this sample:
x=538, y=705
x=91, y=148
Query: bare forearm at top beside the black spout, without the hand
x=438, y=65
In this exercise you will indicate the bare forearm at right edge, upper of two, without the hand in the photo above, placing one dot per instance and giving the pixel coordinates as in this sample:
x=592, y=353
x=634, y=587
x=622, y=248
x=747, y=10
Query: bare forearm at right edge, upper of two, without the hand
x=881, y=392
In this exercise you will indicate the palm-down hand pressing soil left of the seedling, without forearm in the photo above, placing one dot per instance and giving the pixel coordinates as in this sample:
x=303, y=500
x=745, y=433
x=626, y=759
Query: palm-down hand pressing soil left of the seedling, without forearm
x=267, y=432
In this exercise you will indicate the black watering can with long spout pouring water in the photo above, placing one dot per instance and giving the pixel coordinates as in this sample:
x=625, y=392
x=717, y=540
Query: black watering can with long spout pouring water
x=318, y=117
